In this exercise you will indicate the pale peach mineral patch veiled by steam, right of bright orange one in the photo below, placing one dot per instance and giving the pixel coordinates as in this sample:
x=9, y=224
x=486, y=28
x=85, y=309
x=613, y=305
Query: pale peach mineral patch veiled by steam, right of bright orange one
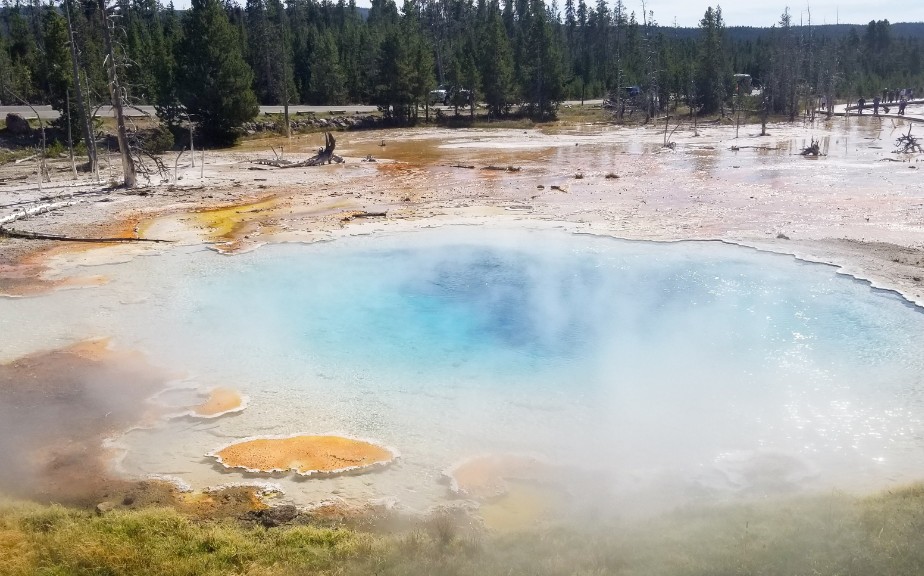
x=486, y=476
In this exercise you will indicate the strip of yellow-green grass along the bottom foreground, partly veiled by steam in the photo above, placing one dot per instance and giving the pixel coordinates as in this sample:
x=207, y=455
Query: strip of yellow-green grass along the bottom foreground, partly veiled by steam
x=825, y=535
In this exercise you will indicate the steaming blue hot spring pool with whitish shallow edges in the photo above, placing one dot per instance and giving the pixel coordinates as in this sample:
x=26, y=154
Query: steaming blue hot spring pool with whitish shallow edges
x=703, y=368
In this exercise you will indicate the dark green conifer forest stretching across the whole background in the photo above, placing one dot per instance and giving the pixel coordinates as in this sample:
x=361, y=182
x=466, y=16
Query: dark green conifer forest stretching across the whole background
x=211, y=64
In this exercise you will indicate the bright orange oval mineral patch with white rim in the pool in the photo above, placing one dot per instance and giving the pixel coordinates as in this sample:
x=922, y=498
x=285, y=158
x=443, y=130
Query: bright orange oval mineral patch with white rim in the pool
x=306, y=455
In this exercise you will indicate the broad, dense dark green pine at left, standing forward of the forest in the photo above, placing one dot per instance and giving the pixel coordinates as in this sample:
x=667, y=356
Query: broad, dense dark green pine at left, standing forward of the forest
x=214, y=82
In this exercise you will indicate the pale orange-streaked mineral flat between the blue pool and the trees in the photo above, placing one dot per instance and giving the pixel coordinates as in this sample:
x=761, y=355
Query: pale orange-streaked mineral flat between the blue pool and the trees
x=859, y=205
